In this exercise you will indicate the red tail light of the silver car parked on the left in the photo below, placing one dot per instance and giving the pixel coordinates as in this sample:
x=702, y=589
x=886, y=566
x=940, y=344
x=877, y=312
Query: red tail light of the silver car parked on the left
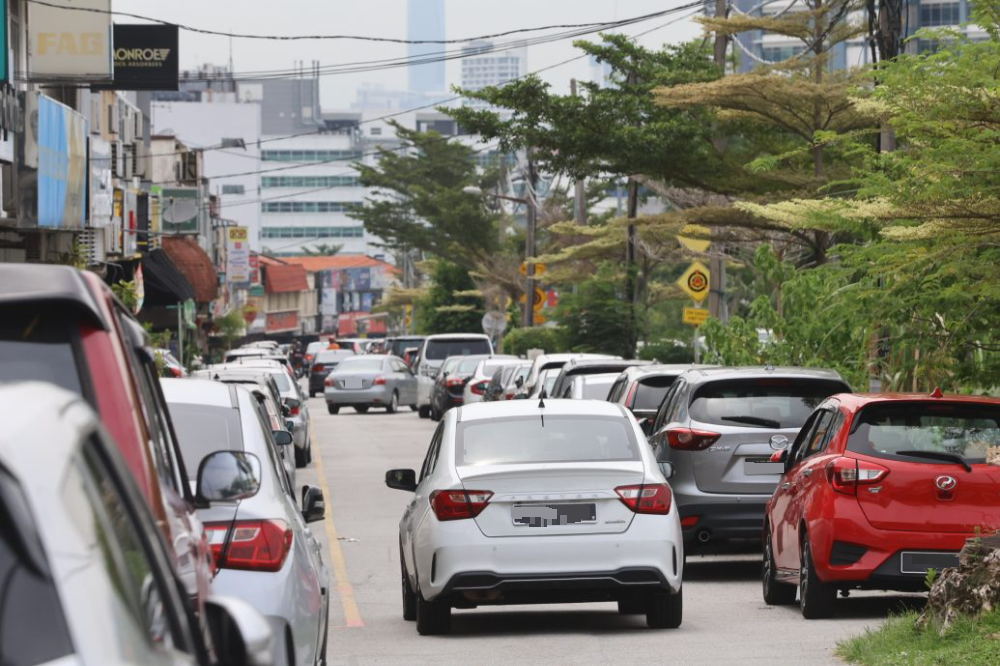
x=255, y=545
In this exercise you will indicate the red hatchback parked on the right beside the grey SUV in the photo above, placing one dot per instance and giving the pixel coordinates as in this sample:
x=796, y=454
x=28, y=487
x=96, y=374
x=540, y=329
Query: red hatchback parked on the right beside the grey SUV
x=877, y=490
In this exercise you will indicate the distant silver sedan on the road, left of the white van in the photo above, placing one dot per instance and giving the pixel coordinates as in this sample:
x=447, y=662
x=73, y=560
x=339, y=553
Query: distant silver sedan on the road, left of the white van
x=369, y=381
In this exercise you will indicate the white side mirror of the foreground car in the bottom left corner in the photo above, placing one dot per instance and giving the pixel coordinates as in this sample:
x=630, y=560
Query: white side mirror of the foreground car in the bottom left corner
x=240, y=634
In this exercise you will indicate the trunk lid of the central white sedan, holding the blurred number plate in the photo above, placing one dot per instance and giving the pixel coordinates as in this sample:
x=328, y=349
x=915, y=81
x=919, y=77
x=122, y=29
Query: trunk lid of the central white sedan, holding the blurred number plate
x=553, y=499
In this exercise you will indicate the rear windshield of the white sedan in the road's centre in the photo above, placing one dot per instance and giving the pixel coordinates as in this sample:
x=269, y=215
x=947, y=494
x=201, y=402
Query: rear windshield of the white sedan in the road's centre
x=522, y=440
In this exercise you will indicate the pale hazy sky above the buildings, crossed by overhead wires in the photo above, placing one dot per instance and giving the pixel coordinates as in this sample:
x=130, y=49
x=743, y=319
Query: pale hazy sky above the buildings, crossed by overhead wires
x=387, y=18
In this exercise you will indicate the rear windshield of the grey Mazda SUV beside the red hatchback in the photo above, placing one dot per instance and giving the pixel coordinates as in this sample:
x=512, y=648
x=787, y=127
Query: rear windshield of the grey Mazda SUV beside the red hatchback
x=771, y=402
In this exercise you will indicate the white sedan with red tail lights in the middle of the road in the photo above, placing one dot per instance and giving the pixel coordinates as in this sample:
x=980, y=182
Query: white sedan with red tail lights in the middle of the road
x=525, y=501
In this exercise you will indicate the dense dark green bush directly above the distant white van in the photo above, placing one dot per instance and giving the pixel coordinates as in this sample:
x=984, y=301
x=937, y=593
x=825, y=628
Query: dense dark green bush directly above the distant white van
x=448, y=306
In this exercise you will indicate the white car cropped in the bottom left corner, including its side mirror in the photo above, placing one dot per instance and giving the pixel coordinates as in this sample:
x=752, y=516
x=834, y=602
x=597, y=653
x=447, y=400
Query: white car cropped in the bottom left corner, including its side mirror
x=87, y=577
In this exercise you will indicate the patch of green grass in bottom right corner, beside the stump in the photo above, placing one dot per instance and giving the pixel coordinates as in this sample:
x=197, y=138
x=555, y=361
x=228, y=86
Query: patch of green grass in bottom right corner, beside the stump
x=968, y=642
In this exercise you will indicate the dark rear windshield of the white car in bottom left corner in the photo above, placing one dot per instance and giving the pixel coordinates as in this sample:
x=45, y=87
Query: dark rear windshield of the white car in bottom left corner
x=33, y=627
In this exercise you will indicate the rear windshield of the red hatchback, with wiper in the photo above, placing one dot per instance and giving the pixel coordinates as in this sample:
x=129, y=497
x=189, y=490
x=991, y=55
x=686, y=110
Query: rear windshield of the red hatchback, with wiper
x=926, y=432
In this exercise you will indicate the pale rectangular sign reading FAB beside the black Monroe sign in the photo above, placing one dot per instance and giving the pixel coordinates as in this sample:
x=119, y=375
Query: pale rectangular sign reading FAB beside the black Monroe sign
x=70, y=40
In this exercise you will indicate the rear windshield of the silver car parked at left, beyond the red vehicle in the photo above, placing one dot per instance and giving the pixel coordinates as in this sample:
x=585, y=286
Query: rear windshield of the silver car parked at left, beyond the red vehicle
x=202, y=430
